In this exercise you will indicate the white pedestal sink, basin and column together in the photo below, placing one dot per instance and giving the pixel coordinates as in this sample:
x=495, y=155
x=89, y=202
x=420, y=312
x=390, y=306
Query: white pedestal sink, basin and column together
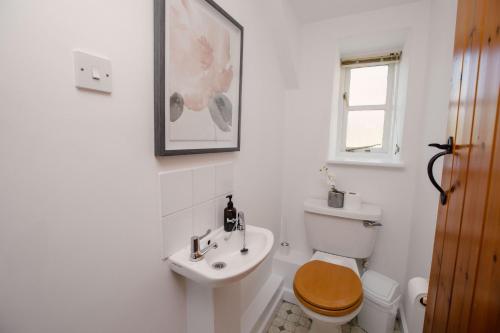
x=211, y=289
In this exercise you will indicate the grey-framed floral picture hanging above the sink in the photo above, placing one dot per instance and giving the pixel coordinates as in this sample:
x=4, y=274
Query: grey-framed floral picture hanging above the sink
x=198, y=78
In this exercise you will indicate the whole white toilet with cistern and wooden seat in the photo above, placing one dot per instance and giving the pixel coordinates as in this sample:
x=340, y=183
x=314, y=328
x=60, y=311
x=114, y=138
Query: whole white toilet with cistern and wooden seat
x=328, y=287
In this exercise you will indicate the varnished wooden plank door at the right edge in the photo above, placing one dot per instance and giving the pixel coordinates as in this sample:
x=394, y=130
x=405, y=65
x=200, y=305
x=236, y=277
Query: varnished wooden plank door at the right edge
x=464, y=292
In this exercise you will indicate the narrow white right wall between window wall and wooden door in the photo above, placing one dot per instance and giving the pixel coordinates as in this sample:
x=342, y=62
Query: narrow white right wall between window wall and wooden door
x=441, y=38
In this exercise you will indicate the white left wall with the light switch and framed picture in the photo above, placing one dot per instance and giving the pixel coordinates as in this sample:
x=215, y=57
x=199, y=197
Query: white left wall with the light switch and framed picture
x=80, y=233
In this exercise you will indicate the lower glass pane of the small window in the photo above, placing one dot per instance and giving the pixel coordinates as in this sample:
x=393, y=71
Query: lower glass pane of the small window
x=365, y=128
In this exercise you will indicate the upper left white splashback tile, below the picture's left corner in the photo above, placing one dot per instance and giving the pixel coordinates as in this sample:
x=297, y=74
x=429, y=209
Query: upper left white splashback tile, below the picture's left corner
x=176, y=191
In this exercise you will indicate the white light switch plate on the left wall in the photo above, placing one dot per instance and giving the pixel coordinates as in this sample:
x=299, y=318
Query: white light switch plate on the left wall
x=92, y=72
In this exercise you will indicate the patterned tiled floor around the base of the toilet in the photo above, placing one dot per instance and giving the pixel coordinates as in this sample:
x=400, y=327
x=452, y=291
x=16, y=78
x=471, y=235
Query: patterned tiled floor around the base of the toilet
x=290, y=319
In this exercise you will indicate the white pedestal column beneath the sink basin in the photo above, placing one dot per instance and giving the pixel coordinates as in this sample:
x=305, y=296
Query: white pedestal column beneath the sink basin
x=213, y=310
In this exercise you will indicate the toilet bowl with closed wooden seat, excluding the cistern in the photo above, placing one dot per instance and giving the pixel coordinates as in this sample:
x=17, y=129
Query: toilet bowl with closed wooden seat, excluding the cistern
x=329, y=291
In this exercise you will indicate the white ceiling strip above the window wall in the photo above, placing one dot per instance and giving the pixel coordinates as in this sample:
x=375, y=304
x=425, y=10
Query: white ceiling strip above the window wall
x=317, y=10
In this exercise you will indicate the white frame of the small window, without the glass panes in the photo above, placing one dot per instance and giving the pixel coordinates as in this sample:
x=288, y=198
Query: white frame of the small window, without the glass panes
x=389, y=148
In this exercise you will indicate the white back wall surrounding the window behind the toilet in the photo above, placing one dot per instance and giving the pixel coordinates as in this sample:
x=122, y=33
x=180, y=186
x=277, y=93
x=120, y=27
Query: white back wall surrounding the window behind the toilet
x=308, y=121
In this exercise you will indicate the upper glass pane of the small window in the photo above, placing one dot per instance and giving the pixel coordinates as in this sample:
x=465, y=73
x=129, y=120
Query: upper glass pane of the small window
x=368, y=85
